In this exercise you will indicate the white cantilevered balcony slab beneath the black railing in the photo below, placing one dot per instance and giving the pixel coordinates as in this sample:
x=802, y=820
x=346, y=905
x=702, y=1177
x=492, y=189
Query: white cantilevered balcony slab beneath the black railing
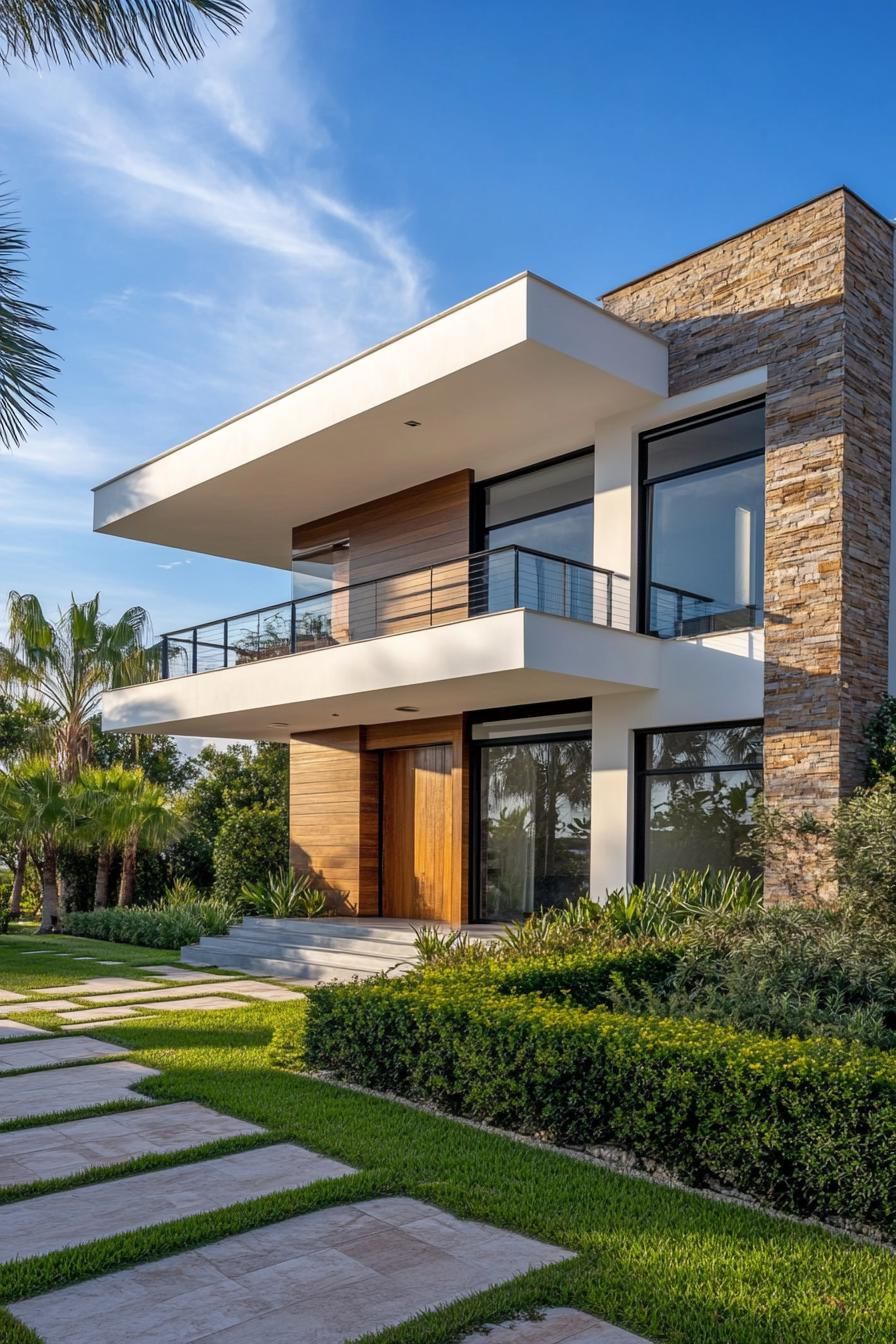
x=487, y=662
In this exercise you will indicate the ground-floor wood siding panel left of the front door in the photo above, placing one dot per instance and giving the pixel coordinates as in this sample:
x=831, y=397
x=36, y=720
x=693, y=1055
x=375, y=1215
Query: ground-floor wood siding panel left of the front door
x=334, y=818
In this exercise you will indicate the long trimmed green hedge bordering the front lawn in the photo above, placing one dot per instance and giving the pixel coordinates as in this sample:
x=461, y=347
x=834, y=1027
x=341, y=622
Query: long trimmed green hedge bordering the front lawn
x=805, y=1126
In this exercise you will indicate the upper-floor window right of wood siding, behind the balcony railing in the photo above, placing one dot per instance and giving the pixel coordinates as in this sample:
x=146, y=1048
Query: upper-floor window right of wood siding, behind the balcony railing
x=549, y=510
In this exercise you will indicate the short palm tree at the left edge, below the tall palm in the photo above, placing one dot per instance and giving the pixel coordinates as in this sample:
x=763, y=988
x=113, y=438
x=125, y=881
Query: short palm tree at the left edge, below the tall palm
x=38, y=804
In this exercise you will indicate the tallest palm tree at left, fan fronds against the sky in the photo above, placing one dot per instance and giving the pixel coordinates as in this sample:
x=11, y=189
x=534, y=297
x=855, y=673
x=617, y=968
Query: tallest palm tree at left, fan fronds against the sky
x=71, y=662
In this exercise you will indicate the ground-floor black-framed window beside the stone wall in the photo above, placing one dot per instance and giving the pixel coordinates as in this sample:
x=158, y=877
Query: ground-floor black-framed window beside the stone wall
x=698, y=788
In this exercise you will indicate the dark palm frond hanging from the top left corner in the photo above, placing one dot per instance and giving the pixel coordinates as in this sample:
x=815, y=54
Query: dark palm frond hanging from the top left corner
x=114, y=32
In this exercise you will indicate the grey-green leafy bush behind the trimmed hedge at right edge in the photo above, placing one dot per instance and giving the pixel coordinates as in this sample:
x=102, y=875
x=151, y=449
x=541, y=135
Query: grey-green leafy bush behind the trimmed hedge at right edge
x=787, y=972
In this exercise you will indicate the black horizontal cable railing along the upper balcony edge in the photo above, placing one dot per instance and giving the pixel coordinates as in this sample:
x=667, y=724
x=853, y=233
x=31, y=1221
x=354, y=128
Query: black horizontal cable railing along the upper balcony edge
x=453, y=591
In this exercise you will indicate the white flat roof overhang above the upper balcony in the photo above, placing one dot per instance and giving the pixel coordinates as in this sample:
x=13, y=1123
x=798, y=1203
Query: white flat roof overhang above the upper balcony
x=518, y=374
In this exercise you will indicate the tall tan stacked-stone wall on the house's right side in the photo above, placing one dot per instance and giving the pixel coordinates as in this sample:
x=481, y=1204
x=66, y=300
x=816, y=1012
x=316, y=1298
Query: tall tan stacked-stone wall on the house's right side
x=808, y=295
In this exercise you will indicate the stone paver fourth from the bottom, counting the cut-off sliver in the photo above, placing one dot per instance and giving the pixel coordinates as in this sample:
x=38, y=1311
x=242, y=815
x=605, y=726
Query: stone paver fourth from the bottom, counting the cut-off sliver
x=77, y=1146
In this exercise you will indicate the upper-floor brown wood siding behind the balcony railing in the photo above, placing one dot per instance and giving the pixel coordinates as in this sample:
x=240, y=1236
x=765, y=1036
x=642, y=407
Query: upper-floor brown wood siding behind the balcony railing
x=413, y=530
